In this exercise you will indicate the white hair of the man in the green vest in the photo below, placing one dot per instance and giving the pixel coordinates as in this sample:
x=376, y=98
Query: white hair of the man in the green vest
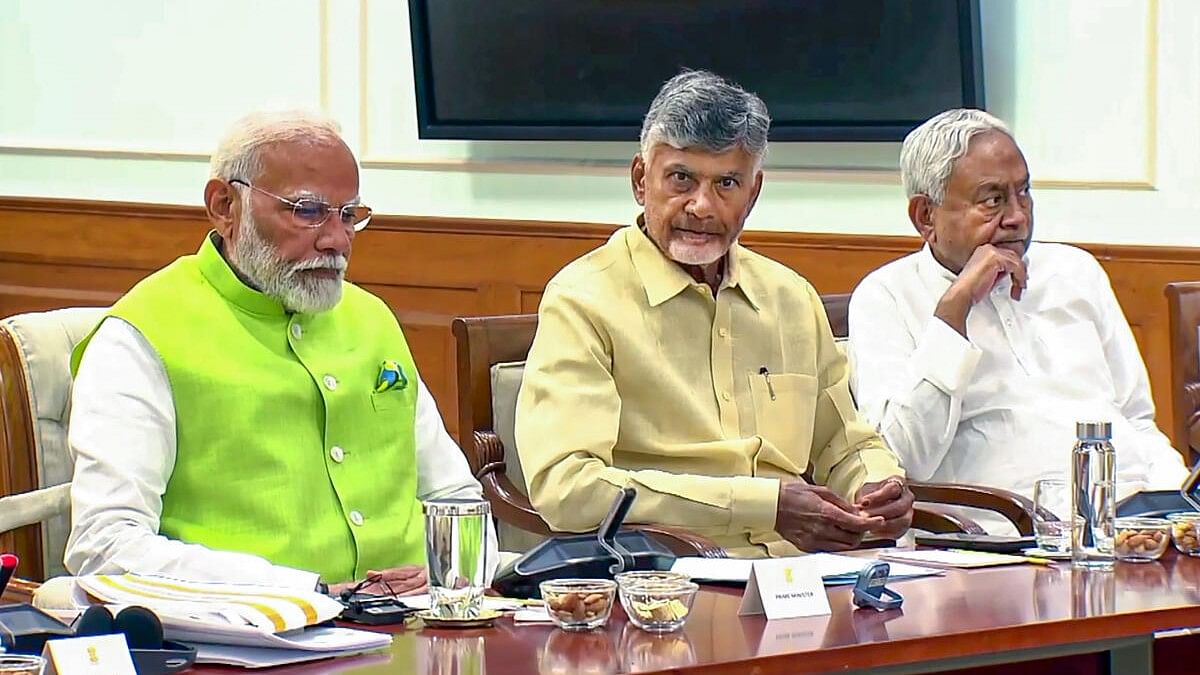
x=241, y=153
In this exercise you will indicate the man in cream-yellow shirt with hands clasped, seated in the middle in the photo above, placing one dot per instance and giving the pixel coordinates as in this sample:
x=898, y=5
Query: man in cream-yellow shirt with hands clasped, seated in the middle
x=704, y=375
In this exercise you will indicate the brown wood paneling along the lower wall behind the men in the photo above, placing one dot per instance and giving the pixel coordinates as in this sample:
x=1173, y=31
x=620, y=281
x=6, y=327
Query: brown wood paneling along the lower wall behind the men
x=59, y=253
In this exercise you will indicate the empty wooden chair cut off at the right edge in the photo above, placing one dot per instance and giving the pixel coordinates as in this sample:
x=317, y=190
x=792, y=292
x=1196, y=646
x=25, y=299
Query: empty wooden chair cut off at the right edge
x=1184, y=314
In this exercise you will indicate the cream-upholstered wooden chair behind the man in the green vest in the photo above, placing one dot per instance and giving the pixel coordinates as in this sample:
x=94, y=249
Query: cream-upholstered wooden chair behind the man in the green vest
x=35, y=405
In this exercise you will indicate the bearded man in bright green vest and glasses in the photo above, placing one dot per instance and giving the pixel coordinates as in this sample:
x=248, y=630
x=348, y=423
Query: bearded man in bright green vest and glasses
x=245, y=415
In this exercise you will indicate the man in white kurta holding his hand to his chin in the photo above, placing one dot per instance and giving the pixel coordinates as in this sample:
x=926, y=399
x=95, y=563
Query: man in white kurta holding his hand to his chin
x=976, y=356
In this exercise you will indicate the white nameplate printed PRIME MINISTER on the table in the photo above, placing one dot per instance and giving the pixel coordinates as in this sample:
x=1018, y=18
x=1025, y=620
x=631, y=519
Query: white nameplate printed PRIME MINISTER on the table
x=784, y=589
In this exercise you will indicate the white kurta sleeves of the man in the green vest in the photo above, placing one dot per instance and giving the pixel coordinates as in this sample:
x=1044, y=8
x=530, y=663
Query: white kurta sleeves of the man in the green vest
x=123, y=440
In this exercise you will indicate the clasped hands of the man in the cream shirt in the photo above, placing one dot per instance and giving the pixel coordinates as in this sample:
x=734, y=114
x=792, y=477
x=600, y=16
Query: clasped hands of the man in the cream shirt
x=817, y=519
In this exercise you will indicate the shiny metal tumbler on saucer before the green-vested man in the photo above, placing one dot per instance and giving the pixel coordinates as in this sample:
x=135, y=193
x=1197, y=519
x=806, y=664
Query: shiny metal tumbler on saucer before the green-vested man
x=457, y=554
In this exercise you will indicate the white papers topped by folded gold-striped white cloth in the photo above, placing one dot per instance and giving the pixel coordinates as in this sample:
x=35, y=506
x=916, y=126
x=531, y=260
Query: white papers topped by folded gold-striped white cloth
x=230, y=614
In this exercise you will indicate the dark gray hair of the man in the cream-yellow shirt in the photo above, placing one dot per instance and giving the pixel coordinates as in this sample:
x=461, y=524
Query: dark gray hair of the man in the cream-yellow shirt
x=700, y=110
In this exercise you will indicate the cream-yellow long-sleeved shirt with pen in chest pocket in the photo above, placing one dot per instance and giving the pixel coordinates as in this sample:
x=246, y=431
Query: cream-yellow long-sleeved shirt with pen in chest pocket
x=639, y=377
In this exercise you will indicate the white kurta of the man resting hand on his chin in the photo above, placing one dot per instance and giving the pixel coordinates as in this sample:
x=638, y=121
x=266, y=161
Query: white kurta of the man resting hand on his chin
x=1000, y=409
